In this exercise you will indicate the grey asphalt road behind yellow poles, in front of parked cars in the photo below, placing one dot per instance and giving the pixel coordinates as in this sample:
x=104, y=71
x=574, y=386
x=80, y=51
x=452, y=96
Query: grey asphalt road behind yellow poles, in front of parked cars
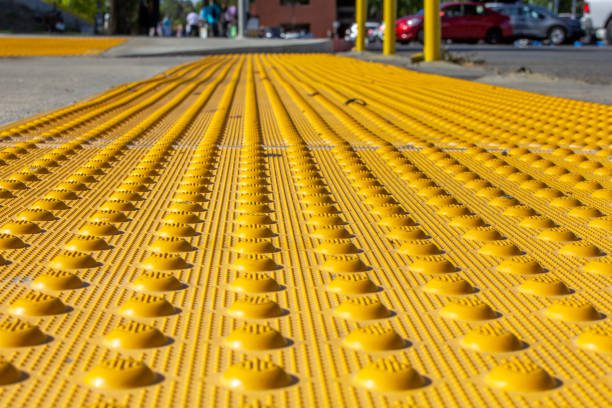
x=588, y=63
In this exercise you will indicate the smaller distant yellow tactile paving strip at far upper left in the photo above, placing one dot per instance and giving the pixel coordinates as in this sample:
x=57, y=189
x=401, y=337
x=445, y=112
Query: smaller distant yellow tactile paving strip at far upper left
x=55, y=46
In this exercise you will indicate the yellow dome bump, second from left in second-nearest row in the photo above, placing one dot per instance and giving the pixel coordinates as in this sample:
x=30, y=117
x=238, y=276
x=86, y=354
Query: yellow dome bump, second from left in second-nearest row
x=134, y=335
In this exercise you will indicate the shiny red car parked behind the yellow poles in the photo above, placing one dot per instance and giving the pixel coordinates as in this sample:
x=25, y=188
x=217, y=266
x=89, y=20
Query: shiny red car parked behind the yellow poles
x=468, y=22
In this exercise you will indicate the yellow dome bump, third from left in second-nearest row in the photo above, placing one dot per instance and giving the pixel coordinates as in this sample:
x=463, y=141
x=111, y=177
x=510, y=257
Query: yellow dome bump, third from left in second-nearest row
x=254, y=337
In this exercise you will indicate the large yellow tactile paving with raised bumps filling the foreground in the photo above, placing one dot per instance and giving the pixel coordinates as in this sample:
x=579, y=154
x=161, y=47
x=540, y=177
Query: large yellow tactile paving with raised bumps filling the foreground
x=306, y=230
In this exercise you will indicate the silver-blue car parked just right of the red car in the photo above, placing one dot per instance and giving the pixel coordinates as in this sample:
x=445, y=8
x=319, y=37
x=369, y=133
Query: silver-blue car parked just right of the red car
x=529, y=21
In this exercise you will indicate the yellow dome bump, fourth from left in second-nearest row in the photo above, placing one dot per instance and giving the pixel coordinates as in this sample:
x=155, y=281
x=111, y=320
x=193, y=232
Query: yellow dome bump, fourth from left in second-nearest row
x=374, y=338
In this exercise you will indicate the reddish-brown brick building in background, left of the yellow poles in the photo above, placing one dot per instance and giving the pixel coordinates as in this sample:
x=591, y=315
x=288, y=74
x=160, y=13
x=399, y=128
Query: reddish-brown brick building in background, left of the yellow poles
x=314, y=16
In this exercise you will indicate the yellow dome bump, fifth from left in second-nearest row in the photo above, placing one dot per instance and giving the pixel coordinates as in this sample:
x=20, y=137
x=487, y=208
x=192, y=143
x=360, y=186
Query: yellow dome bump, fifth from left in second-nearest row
x=491, y=339
